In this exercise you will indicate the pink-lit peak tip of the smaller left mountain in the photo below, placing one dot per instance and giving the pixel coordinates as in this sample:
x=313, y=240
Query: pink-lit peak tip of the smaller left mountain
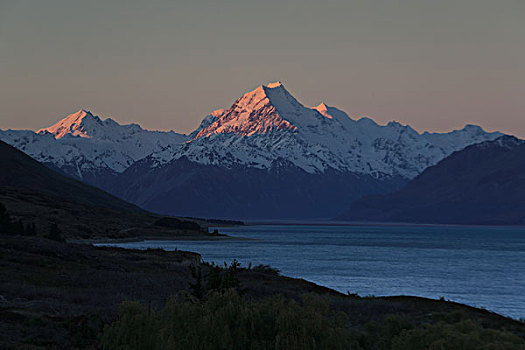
x=74, y=124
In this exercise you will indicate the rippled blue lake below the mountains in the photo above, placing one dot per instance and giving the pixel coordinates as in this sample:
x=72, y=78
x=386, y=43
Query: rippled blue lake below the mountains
x=478, y=266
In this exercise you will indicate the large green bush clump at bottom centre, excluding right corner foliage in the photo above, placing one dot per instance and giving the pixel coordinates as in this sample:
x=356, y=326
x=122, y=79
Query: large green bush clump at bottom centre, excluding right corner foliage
x=226, y=320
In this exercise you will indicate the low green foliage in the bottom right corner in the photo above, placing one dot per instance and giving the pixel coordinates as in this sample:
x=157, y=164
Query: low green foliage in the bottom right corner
x=463, y=335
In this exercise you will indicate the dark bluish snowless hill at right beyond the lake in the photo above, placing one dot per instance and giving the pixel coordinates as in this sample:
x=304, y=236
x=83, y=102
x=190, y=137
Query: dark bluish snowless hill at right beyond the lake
x=482, y=184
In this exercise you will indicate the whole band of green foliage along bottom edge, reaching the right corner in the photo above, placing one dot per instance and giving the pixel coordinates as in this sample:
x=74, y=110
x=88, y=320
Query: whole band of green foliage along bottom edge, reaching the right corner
x=227, y=320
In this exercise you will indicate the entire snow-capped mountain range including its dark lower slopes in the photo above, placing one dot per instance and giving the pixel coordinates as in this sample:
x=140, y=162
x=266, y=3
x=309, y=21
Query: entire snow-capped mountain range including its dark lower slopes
x=267, y=156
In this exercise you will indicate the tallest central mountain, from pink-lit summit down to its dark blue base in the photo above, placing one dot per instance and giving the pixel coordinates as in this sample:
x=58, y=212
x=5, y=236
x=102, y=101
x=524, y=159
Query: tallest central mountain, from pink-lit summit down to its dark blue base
x=268, y=156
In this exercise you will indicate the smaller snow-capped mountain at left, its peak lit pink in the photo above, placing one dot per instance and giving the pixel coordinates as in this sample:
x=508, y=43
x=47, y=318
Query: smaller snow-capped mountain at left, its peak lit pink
x=89, y=148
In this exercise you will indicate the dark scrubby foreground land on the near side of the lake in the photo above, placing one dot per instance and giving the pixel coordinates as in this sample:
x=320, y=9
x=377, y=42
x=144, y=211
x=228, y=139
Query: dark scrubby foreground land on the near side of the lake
x=67, y=296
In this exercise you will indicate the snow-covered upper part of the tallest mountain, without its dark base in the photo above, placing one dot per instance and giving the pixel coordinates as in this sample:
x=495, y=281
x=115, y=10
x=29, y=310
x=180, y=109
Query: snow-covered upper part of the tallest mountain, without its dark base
x=268, y=124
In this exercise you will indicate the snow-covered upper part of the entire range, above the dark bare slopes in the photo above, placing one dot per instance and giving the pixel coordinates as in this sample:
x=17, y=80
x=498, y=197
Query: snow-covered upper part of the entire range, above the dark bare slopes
x=263, y=128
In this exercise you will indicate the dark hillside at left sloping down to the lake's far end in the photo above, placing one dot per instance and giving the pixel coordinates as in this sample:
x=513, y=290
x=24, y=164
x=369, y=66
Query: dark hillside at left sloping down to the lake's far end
x=36, y=196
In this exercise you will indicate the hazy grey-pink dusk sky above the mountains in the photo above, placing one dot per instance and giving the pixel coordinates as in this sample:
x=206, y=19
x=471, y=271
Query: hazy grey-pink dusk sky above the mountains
x=436, y=65
